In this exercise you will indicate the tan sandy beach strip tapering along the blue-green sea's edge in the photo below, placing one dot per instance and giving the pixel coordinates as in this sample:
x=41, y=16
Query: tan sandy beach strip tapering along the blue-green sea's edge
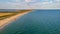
x=10, y=19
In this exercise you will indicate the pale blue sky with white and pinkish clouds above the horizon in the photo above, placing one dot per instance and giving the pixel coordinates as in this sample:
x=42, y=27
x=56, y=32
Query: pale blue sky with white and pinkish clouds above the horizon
x=29, y=4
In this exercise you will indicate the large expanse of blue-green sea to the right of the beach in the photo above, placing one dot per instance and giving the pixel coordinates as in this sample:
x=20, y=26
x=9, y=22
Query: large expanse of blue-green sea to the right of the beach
x=36, y=22
